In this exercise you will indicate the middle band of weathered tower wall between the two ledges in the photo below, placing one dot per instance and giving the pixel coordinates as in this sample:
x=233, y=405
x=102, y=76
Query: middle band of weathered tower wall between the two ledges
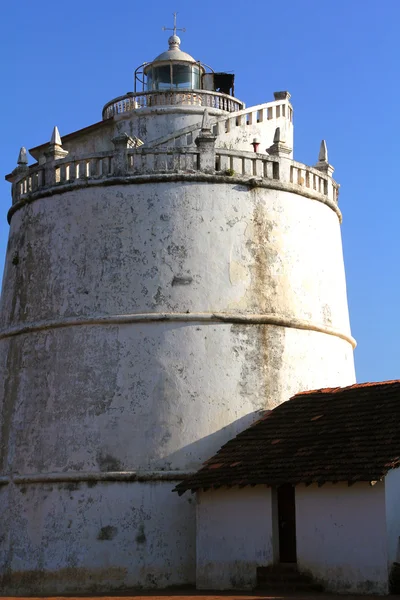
x=126, y=397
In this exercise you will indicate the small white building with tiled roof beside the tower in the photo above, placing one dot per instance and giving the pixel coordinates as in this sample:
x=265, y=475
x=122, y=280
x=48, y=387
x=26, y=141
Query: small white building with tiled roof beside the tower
x=314, y=482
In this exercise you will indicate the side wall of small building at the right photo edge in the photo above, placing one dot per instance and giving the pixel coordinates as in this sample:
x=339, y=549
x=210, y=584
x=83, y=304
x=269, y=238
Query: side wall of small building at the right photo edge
x=392, y=500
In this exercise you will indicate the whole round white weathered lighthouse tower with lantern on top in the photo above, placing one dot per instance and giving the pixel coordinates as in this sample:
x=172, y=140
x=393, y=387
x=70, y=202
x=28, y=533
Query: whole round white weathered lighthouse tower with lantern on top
x=171, y=272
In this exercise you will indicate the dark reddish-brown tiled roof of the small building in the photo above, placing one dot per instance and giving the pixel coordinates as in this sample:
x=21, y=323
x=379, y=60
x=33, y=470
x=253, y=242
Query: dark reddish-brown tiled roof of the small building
x=336, y=434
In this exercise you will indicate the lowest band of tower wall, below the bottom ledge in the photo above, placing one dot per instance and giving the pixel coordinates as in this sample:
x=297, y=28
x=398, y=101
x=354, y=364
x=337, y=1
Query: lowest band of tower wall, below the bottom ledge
x=69, y=537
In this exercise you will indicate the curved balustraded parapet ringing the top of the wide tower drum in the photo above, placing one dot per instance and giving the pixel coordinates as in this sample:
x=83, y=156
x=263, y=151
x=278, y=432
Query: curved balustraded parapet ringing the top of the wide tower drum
x=106, y=168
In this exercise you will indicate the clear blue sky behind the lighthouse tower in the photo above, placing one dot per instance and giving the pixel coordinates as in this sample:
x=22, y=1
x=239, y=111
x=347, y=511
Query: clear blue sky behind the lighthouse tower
x=61, y=62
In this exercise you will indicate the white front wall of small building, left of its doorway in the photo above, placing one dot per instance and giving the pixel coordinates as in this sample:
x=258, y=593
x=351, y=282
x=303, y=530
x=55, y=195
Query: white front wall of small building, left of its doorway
x=234, y=537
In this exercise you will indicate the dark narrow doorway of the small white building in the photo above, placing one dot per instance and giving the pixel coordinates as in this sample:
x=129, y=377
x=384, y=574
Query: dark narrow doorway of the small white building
x=287, y=523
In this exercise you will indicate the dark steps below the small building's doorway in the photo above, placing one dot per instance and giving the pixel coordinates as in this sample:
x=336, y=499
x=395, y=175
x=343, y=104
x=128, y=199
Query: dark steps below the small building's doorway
x=285, y=577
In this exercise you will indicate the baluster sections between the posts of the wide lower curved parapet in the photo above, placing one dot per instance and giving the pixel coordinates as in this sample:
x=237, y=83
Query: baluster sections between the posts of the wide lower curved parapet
x=173, y=160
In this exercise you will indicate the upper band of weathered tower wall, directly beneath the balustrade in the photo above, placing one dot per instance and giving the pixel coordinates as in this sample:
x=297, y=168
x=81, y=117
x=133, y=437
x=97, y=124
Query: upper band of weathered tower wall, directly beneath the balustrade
x=172, y=247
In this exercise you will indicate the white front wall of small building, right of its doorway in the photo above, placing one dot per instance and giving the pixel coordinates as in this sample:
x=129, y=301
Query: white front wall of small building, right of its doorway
x=341, y=536
